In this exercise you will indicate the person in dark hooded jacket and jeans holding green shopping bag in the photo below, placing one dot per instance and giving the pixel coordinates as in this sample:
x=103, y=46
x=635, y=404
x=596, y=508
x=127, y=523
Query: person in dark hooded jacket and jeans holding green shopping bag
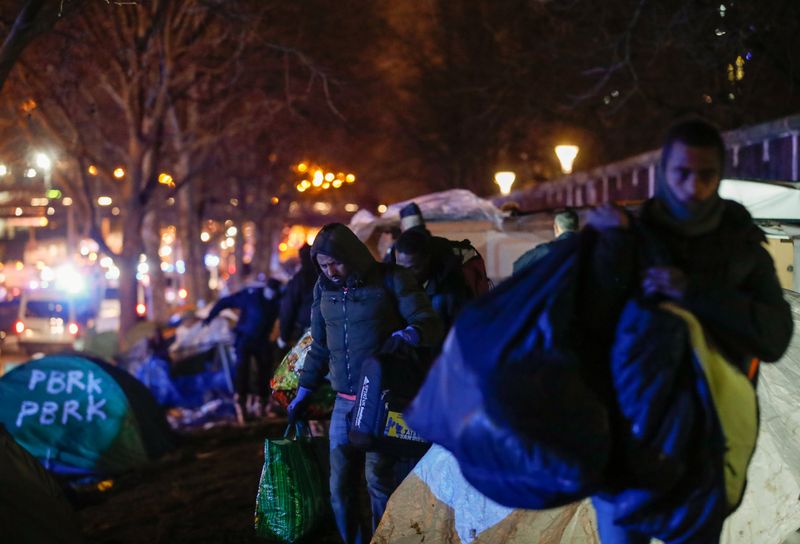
x=358, y=305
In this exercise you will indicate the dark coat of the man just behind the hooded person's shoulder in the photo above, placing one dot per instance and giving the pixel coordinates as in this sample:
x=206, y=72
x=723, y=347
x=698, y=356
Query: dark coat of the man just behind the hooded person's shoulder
x=447, y=287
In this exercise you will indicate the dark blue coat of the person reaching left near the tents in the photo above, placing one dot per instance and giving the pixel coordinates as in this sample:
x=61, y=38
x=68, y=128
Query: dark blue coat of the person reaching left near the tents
x=257, y=314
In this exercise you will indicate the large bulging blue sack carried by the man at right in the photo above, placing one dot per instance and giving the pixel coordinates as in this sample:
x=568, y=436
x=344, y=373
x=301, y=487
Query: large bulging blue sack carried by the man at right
x=507, y=395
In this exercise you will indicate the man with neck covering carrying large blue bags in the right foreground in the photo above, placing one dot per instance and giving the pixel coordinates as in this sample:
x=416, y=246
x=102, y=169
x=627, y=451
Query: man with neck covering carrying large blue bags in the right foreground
x=618, y=366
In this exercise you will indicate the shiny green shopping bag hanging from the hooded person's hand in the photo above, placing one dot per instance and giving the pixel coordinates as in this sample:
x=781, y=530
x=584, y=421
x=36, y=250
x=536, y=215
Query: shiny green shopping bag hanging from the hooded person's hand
x=293, y=492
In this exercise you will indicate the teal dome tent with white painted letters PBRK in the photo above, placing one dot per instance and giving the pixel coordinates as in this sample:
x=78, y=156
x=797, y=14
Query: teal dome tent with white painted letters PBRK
x=82, y=416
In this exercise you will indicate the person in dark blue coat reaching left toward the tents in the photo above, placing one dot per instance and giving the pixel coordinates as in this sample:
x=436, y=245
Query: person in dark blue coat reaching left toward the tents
x=258, y=305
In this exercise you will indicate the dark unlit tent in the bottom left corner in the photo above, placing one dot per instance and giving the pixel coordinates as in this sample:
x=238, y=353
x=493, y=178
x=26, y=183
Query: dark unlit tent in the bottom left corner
x=33, y=508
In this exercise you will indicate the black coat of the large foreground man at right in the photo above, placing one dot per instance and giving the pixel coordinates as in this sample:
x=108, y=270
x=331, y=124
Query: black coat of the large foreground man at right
x=733, y=289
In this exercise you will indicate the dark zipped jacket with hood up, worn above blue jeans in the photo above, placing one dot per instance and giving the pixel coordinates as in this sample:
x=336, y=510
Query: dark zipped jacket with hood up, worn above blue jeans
x=351, y=322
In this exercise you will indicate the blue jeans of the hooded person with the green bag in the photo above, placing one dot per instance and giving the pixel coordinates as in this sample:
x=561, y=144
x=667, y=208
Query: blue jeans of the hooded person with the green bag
x=383, y=474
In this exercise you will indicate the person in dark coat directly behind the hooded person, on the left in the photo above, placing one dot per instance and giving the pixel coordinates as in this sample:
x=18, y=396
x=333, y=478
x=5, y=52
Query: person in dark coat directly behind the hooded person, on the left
x=295, y=314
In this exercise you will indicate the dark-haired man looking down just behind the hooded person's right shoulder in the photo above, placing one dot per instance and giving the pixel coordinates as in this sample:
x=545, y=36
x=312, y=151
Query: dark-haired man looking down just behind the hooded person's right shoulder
x=438, y=271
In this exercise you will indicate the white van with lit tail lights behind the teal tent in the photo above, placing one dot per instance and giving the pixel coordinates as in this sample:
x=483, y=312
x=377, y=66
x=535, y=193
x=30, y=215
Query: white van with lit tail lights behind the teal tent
x=47, y=322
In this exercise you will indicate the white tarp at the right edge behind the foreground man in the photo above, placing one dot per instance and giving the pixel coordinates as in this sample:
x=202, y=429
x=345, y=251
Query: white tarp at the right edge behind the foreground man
x=763, y=200
